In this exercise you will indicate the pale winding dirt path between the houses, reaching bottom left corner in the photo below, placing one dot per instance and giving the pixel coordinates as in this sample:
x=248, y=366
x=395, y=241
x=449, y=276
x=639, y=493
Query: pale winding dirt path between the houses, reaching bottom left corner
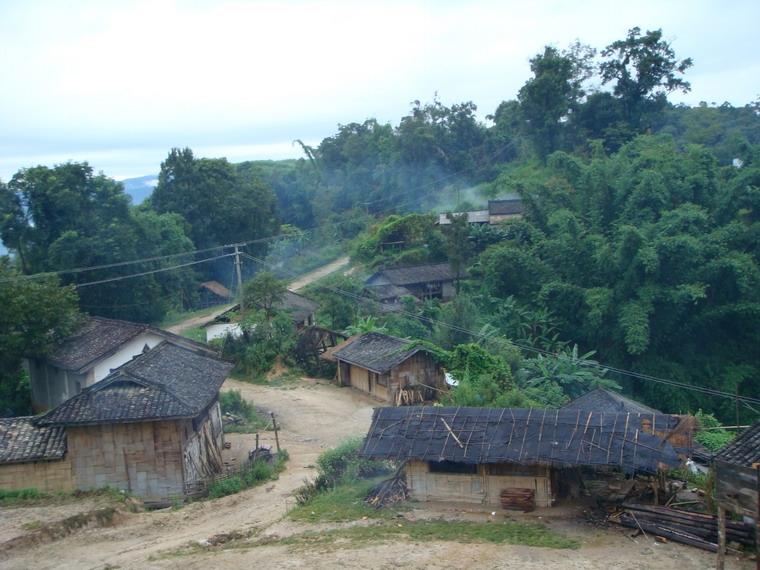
x=315, y=415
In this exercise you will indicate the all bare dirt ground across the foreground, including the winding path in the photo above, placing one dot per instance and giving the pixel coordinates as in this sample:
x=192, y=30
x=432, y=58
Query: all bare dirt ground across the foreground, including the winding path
x=315, y=415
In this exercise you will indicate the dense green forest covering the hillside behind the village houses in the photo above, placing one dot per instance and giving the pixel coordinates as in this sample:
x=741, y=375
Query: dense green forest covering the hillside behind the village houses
x=640, y=245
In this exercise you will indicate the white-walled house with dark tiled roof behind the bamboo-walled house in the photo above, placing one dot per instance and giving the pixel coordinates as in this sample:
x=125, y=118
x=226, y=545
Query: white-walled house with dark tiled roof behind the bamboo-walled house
x=99, y=346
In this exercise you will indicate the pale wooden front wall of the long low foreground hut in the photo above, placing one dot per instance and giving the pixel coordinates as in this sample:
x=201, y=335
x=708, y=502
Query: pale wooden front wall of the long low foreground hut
x=482, y=488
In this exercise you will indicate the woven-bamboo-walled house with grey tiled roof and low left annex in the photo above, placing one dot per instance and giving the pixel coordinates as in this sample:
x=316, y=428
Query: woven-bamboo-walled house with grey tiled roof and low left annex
x=152, y=428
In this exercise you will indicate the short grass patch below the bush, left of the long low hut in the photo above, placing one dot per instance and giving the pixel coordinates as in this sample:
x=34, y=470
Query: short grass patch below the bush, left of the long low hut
x=344, y=503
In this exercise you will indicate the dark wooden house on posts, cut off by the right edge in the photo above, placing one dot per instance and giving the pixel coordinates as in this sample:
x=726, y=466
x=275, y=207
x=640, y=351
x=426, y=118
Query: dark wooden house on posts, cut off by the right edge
x=737, y=483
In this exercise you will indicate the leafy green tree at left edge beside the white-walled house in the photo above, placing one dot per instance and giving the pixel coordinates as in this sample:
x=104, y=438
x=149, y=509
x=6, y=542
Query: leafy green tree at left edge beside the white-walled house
x=36, y=313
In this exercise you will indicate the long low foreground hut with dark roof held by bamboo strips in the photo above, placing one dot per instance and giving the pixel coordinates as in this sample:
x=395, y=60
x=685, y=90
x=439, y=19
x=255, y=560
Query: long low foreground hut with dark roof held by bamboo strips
x=513, y=457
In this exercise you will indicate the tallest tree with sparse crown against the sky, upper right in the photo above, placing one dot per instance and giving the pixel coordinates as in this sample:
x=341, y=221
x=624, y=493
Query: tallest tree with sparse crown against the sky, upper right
x=644, y=69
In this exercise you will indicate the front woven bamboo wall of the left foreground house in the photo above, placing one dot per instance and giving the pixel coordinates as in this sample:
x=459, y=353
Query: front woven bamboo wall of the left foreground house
x=142, y=458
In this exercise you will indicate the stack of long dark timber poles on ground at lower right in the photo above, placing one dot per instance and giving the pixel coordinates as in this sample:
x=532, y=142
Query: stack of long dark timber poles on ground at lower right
x=695, y=529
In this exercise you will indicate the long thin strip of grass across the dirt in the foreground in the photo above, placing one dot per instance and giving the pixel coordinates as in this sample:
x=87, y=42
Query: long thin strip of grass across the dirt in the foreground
x=509, y=532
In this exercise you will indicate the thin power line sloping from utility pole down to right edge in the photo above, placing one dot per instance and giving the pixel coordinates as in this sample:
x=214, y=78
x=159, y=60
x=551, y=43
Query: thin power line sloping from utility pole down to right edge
x=640, y=376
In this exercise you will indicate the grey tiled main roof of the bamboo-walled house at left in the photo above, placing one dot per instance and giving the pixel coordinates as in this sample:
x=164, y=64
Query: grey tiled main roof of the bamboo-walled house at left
x=169, y=381
